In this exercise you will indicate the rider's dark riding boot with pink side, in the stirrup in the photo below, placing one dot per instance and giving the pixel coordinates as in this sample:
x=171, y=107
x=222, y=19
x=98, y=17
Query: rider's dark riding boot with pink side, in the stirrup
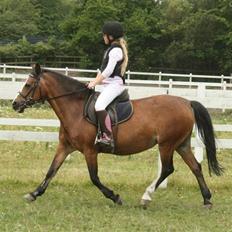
x=104, y=120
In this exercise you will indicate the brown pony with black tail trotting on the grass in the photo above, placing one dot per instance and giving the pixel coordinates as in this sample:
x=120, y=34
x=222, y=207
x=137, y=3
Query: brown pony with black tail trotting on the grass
x=164, y=120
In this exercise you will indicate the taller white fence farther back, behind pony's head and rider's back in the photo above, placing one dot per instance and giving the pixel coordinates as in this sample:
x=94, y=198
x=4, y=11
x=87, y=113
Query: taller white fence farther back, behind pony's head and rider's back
x=214, y=94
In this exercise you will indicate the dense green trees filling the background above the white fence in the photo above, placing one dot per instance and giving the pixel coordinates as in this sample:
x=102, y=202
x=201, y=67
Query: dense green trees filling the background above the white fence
x=176, y=35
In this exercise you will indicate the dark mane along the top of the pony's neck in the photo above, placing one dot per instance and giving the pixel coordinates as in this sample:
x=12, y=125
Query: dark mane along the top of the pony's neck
x=68, y=83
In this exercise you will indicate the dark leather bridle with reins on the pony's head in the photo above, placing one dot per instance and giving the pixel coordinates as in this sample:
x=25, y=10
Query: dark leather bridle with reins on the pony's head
x=29, y=97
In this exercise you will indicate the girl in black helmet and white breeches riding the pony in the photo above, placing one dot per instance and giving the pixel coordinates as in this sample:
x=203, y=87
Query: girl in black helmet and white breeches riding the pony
x=111, y=75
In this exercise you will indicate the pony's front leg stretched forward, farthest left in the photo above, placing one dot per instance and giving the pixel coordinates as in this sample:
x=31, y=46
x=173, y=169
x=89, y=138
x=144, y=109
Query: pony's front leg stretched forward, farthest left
x=62, y=151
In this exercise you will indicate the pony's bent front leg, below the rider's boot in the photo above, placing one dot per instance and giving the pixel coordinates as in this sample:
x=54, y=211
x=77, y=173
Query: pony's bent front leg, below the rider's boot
x=91, y=160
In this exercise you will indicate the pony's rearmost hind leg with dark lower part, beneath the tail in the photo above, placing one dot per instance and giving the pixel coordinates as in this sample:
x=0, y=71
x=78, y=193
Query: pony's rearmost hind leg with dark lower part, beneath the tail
x=186, y=153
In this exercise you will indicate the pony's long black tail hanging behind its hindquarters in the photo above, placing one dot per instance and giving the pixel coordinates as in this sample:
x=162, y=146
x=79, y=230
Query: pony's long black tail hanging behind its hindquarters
x=206, y=133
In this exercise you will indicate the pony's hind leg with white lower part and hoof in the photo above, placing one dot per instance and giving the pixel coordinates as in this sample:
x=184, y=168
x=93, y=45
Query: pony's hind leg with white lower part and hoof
x=166, y=156
